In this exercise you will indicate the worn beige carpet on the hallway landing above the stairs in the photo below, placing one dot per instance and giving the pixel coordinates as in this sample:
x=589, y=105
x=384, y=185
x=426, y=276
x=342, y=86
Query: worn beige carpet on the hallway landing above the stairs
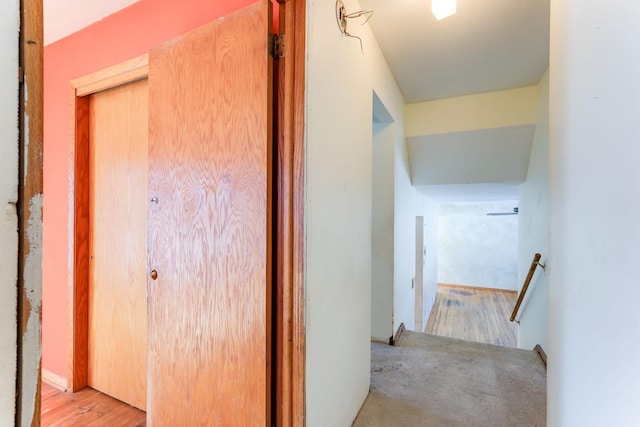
x=444, y=382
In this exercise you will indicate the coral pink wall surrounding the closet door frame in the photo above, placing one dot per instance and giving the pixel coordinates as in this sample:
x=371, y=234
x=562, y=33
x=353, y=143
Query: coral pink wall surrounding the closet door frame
x=123, y=35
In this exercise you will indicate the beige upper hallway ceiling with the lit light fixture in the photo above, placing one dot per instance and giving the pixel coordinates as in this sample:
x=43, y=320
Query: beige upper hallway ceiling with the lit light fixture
x=487, y=45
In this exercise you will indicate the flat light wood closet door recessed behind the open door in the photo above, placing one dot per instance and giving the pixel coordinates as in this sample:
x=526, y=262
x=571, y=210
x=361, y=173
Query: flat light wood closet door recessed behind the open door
x=118, y=150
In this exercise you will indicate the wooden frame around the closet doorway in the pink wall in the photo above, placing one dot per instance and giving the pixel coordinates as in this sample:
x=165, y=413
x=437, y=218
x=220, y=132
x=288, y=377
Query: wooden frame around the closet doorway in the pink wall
x=79, y=225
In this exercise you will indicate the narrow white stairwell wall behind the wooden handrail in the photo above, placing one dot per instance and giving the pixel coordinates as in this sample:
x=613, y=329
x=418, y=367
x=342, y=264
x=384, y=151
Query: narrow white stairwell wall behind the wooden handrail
x=533, y=231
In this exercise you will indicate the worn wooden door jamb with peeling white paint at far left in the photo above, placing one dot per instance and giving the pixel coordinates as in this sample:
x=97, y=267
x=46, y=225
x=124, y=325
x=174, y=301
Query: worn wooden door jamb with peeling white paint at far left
x=30, y=217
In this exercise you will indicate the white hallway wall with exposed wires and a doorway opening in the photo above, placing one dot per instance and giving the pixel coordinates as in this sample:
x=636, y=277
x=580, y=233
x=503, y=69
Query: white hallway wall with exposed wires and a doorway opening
x=339, y=159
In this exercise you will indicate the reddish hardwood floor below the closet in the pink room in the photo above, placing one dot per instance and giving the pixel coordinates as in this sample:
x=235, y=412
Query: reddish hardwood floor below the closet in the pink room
x=87, y=407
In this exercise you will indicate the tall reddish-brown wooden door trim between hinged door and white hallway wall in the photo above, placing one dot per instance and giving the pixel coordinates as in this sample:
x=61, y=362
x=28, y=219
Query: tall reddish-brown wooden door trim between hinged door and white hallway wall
x=290, y=393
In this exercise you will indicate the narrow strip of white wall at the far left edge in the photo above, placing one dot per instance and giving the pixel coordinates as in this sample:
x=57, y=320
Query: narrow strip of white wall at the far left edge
x=9, y=24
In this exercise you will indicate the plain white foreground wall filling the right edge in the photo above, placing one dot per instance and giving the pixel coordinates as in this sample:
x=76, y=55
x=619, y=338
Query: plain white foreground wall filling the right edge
x=594, y=333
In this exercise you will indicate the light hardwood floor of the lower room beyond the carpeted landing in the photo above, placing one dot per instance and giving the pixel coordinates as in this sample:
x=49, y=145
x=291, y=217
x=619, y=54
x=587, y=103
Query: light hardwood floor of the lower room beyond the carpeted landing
x=473, y=314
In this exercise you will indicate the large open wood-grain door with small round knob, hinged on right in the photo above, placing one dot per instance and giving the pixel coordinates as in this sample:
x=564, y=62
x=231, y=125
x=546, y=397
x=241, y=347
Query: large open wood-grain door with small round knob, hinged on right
x=209, y=224
